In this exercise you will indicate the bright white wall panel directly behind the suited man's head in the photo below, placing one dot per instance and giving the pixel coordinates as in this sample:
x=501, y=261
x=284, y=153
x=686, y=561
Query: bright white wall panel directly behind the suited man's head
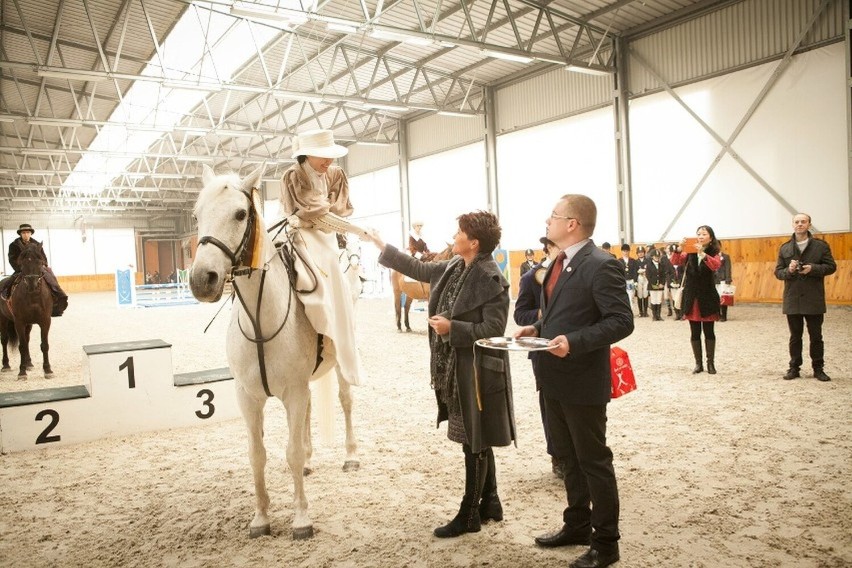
x=538, y=165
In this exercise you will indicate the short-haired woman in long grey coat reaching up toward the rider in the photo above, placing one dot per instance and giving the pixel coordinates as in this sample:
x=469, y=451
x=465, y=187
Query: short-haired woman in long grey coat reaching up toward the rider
x=469, y=300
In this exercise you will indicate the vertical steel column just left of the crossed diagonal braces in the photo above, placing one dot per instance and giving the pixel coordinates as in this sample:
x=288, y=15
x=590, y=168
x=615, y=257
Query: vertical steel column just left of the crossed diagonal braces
x=621, y=113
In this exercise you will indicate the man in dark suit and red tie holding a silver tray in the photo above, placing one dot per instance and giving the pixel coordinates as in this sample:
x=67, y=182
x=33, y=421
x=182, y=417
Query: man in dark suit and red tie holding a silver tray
x=584, y=310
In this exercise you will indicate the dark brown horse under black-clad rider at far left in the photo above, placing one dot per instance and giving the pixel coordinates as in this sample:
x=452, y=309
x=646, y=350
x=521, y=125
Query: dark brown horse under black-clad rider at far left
x=30, y=302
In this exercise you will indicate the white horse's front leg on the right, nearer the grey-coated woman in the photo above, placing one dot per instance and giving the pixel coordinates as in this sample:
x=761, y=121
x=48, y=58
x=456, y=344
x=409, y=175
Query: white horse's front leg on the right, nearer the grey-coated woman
x=296, y=403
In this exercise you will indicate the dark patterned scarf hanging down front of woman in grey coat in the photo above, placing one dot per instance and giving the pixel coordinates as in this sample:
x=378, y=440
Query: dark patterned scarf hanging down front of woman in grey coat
x=443, y=363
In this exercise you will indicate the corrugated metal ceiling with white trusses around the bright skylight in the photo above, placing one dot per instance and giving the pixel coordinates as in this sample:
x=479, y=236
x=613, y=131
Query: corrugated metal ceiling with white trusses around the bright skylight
x=348, y=69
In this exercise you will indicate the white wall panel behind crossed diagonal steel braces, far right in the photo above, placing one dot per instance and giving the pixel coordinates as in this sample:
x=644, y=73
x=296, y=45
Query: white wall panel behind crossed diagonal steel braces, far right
x=795, y=141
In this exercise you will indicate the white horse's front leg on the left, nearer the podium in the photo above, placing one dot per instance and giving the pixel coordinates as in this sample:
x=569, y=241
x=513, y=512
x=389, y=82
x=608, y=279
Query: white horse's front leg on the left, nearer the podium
x=252, y=411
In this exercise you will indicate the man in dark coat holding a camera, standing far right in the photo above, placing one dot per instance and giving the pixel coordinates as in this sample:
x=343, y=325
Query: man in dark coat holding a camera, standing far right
x=803, y=263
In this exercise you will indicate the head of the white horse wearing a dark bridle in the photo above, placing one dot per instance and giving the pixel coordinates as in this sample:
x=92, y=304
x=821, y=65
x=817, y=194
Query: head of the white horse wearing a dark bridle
x=226, y=221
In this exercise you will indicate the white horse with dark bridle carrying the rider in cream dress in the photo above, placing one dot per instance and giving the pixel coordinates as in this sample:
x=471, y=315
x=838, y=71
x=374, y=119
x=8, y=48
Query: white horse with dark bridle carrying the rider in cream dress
x=271, y=346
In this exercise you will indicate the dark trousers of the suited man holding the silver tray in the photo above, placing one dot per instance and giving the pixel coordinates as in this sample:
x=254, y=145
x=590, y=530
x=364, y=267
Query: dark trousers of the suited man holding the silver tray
x=578, y=437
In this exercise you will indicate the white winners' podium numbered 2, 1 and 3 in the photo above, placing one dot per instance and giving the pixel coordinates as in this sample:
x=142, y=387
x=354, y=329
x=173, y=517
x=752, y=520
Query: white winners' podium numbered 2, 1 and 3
x=130, y=388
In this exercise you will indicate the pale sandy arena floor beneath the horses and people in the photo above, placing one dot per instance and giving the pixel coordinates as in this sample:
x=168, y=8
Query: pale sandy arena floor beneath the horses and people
x=737, y=469
